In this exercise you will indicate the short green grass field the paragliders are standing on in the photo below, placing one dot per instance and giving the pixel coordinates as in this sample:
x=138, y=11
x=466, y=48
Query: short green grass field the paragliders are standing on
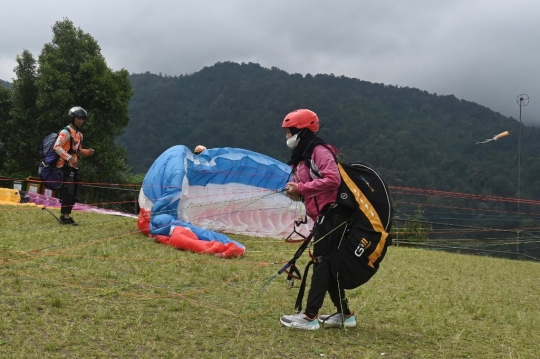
x=103, y=290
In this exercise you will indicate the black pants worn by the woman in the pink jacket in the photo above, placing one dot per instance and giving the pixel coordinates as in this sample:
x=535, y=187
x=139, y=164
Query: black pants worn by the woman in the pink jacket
x=323, y=279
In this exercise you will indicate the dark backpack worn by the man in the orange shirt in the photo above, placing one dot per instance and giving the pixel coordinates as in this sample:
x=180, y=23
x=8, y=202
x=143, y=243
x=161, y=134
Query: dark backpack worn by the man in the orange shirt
x=51, y=176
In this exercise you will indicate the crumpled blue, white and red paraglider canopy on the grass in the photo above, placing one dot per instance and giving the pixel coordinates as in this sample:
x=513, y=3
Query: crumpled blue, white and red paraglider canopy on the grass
x=186, y=199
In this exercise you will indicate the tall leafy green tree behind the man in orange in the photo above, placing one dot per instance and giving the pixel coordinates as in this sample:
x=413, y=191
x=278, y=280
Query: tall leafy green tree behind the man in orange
x=70, y=72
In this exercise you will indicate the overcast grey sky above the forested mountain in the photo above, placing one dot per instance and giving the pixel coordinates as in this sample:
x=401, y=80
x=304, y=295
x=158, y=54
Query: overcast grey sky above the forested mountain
x=485, y=51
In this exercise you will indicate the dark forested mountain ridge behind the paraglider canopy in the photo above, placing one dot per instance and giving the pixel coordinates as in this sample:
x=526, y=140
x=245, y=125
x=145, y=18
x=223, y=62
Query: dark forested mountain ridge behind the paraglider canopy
x=415, y=138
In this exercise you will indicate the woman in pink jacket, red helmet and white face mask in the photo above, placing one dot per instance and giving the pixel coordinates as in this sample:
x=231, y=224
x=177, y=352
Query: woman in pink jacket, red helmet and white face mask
x=316, y=180
